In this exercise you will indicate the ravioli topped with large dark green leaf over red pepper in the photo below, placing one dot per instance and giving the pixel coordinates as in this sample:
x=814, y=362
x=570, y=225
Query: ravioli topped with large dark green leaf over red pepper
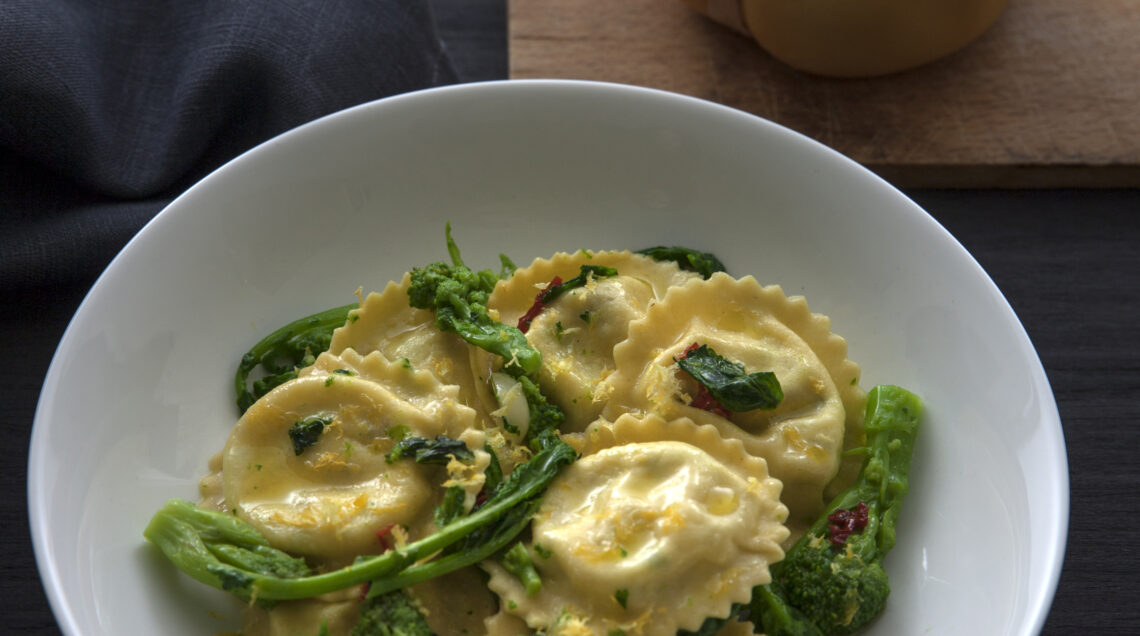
x=763, y=330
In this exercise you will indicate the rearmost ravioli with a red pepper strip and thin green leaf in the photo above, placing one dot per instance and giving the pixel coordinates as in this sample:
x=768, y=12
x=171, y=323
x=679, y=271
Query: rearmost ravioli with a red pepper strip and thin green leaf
x=576, y=333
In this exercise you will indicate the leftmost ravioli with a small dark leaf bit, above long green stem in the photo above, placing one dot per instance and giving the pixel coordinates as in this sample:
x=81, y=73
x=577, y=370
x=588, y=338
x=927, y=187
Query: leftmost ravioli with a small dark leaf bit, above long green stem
x=329, y=501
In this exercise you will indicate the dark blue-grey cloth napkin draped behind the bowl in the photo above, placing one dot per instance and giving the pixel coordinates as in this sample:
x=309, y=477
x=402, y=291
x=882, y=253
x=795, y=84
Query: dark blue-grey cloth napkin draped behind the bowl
x=110, y=109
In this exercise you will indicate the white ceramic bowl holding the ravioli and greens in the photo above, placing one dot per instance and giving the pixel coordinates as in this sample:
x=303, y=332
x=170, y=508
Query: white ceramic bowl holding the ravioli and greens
x=139, y=395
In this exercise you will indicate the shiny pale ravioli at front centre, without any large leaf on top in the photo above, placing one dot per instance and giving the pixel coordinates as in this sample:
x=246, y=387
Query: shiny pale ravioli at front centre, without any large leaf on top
x=623, y=537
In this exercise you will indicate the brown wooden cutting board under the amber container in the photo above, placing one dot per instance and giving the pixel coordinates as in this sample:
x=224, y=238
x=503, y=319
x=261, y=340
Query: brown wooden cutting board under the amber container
x=1048, y=97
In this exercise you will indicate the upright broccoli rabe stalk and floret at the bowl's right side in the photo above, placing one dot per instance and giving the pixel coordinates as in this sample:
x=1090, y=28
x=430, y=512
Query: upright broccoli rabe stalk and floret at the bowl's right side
x=833, y=582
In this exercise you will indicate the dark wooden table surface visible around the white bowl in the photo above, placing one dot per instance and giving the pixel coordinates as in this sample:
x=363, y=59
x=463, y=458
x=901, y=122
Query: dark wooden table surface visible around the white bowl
x=1068, y=262
